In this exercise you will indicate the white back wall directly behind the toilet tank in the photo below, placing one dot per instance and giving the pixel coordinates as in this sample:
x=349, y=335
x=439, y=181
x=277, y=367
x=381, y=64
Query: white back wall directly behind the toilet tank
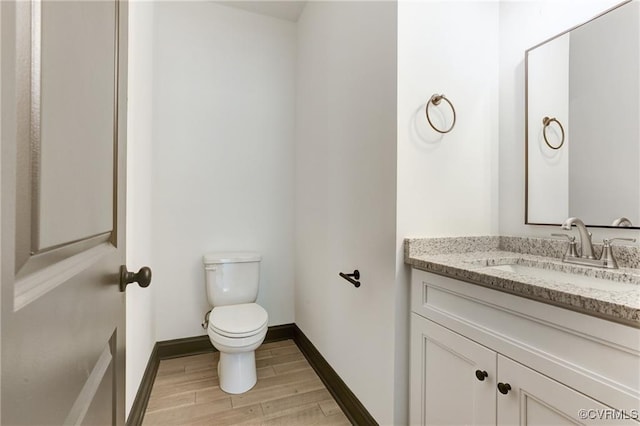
x=222, y=159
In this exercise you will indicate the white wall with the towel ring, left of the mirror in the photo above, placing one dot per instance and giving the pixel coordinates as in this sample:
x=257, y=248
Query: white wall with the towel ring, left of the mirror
x=447, y=185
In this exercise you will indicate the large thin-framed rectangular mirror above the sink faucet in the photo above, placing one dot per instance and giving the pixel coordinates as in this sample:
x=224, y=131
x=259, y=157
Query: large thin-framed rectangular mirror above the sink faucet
x=582, y=124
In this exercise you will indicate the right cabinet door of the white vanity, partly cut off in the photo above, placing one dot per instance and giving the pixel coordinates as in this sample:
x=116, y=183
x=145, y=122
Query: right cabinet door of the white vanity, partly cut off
x=535, y=399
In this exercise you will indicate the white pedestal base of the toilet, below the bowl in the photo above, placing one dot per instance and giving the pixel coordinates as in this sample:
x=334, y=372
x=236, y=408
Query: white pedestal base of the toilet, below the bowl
x=237, y=371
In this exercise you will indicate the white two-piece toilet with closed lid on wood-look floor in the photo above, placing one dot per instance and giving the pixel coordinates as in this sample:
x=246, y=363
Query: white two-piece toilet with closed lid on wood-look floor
x=237, y=326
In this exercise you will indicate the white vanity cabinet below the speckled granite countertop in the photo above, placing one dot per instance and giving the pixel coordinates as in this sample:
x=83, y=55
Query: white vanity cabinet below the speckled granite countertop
x=562, y=367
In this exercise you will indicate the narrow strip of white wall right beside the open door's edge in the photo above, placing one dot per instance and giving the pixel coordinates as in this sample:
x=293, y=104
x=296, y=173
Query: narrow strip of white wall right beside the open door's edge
x=141, y=332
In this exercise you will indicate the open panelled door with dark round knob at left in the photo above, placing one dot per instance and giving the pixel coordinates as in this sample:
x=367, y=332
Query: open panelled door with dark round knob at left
x=63, y=123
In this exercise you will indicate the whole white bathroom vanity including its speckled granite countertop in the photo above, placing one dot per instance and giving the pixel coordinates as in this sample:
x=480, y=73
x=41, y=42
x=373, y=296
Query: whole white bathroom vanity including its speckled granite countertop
x=504, y=332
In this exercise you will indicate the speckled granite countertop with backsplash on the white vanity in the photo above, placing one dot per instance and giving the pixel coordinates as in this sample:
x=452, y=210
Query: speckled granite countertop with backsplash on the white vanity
x=471, y=259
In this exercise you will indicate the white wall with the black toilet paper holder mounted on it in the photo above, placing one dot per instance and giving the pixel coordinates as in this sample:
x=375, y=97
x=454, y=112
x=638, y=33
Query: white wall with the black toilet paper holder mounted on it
x=346, y=193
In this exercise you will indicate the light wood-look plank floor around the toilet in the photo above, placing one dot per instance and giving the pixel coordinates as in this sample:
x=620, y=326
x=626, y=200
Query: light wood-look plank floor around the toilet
x=288, y=392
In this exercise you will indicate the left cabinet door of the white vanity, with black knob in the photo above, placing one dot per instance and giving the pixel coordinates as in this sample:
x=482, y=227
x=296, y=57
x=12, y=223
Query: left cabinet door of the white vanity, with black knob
x=444, y=387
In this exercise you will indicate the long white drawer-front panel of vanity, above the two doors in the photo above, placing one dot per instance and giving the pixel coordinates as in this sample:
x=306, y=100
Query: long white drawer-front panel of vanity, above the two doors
x=581, y=351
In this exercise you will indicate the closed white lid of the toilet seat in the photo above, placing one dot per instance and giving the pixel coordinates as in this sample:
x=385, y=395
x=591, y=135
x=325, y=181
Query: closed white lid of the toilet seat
x=238, y=320
